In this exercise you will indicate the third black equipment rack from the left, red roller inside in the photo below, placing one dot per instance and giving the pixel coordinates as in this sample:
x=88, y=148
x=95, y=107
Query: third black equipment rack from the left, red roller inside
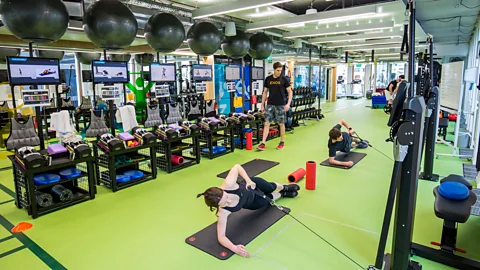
x=186, y=146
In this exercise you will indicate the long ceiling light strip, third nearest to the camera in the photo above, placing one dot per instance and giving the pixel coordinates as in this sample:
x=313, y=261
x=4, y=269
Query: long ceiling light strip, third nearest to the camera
x=338, y=30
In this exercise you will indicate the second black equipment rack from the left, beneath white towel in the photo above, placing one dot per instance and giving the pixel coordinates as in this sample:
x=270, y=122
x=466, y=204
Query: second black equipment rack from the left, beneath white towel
x=109, y=164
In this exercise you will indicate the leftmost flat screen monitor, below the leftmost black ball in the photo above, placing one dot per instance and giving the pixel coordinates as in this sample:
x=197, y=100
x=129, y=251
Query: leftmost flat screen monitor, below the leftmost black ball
x=30, y=71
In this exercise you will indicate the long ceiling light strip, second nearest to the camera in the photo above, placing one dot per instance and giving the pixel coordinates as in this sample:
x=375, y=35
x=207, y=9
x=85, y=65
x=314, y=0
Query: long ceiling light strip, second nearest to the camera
x=325, y=17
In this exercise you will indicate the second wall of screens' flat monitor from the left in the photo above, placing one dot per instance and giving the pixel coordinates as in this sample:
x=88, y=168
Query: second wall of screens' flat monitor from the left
x=109, y=72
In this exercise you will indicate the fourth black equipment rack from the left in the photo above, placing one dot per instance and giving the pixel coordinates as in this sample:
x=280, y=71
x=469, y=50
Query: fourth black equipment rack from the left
x=210, y=138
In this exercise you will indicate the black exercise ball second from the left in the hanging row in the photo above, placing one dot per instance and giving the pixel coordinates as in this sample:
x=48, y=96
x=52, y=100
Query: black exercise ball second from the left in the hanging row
x=110, y=24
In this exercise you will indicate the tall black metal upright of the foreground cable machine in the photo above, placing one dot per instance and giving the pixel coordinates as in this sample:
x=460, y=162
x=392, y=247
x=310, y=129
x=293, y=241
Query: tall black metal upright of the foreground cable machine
x=408, y=140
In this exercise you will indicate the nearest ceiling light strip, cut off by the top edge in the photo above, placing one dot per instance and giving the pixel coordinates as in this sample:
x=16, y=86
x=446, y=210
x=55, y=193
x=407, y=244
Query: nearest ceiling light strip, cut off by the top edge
x=230, y=7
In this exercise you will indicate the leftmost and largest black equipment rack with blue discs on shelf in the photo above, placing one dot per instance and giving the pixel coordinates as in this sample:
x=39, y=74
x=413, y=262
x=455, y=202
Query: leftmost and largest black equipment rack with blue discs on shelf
x=83, y=186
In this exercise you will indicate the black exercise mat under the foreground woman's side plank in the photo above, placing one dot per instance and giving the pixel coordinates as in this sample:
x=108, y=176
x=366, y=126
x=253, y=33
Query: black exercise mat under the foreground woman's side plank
x=242, y=227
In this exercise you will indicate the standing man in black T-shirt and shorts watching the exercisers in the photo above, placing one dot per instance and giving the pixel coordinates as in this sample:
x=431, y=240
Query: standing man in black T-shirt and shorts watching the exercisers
x=276, y=109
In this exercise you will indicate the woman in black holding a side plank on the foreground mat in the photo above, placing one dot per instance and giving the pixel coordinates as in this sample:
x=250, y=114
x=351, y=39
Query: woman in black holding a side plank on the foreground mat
x=232, y=197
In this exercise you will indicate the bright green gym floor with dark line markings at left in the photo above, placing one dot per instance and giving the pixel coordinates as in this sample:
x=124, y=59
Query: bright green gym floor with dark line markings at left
x=145, y=226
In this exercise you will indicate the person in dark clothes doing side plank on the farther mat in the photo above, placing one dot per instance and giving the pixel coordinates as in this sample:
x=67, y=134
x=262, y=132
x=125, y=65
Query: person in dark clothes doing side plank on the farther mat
x=343, y=142
